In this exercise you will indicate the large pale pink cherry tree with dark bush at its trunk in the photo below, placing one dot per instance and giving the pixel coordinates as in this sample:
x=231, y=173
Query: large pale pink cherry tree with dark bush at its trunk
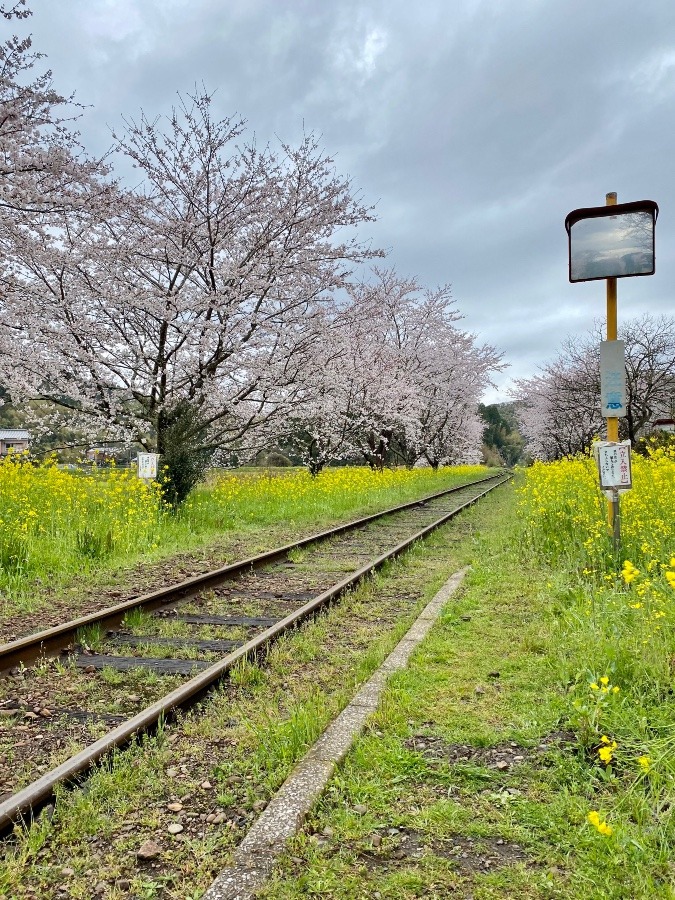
x=188, y=309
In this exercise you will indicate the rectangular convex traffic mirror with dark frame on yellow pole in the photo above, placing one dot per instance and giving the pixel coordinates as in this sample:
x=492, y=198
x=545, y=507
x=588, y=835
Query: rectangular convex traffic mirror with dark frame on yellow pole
x=612, y=241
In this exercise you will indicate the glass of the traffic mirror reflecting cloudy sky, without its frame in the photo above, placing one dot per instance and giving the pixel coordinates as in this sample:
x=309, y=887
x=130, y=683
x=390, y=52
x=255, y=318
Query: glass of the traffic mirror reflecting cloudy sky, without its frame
x=609, y=246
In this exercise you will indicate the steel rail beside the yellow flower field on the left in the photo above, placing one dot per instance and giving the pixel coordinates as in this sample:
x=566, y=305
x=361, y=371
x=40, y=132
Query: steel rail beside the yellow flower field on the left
x=51, y=641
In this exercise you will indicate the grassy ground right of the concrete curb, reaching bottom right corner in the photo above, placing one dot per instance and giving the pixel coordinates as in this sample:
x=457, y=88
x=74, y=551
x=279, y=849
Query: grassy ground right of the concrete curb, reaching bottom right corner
x=503, y=763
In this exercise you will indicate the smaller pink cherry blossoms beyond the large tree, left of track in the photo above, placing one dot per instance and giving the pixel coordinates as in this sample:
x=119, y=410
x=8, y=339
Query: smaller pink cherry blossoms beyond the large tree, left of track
x=396, y=380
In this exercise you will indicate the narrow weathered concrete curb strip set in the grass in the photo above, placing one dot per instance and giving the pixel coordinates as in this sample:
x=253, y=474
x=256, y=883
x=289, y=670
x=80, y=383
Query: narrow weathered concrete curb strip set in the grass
x=257, y=854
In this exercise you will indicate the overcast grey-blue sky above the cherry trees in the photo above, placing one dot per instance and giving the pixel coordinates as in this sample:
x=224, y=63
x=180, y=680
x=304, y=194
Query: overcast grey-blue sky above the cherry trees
x=474, y=126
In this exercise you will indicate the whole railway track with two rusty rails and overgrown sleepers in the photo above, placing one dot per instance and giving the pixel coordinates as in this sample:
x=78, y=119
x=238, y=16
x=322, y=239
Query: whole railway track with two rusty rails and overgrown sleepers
x=73, y=693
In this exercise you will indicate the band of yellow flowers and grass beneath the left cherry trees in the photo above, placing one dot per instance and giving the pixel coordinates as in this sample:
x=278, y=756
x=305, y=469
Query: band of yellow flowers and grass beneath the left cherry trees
x=55, y=523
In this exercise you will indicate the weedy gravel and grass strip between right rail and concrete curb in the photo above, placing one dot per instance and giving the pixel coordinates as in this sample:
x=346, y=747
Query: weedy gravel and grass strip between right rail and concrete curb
x=211, y=773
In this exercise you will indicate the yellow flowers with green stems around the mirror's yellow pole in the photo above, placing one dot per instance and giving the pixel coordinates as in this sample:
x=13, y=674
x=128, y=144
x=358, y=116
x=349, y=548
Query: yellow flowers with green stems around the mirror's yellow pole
x=616, y=620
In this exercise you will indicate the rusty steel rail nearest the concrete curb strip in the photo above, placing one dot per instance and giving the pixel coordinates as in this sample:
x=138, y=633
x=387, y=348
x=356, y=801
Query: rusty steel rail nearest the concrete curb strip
x=19, y=806
